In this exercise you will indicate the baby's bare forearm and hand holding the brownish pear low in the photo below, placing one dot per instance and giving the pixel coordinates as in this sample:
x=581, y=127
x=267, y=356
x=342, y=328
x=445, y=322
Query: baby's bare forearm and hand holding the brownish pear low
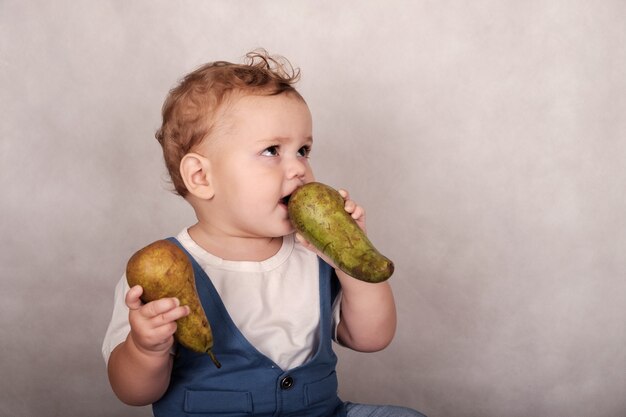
x=140, y=367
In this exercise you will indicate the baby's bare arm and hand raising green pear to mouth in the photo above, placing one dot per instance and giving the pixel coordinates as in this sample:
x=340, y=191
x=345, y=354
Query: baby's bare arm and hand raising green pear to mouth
x=368, y=310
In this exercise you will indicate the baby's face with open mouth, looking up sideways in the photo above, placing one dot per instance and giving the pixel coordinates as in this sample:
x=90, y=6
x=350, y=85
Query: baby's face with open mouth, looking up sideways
x=260, y=157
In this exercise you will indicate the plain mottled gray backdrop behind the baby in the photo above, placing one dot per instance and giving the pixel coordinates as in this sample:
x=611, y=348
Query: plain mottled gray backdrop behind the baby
x=486, y=139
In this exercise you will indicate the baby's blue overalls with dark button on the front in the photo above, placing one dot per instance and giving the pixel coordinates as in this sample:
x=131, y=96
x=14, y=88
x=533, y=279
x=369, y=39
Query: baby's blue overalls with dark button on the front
x=249, y=383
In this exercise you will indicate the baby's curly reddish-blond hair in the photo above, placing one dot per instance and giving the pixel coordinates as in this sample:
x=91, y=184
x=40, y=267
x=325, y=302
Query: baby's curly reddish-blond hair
x=191, y=109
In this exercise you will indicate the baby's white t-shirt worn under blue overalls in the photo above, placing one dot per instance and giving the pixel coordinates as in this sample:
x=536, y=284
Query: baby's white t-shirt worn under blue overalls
x=274, y=303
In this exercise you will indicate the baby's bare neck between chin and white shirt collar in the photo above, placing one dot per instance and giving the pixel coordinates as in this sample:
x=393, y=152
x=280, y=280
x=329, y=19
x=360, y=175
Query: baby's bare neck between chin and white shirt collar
x=235, y=248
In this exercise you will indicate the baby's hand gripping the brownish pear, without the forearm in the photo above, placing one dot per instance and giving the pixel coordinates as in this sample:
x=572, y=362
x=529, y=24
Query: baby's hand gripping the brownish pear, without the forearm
x=153, y=324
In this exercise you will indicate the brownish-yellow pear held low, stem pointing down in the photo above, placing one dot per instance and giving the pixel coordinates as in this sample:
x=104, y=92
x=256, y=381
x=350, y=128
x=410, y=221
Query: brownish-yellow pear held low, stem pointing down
x=164, y=270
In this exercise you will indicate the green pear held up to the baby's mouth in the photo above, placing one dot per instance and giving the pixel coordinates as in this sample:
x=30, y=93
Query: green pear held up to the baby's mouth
x=317, y=213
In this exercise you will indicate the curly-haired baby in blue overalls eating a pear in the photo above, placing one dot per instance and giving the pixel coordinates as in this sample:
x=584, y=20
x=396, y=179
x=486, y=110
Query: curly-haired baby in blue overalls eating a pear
x=237, y=141
